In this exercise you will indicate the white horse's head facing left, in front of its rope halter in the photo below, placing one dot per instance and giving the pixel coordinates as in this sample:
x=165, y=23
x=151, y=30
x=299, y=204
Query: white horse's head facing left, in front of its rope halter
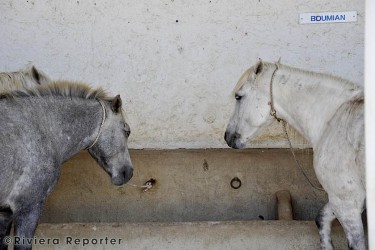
x=252, y=110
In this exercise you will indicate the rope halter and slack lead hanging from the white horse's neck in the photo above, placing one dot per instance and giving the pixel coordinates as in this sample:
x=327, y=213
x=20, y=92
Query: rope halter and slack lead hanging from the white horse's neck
x=273, y=113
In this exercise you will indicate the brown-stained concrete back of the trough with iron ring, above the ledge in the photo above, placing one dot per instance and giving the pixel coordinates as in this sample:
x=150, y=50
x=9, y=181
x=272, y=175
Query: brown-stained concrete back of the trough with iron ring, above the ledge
x=191, y=185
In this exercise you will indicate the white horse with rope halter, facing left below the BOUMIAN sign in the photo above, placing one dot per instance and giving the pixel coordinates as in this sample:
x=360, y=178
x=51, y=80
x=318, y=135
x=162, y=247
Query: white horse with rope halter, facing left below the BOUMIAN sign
x=329, y=112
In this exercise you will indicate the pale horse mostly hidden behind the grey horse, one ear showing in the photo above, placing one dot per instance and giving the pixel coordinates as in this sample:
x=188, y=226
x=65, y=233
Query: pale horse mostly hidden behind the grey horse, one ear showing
x=26, y=78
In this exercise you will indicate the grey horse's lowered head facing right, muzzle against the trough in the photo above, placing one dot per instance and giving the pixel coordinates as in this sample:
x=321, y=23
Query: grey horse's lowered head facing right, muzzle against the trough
x=111, y=149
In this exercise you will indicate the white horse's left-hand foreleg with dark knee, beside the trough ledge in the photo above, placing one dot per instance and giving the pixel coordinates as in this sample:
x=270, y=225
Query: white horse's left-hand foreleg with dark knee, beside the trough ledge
x=324, y=222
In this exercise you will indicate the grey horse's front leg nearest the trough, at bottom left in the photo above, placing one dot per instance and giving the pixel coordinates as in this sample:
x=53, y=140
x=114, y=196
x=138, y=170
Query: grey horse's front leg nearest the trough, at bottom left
x=25, y=225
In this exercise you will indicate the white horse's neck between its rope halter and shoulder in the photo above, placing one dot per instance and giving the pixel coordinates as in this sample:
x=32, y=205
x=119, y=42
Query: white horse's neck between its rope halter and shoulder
x=307, y=101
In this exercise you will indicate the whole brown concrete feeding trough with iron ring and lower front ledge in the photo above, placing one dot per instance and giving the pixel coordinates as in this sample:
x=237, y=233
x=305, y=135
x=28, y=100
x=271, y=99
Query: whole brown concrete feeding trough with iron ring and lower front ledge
x=196, y=199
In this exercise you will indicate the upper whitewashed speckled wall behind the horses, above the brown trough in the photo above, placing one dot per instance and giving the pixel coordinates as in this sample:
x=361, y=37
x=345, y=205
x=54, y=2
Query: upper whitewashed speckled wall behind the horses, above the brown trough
x=175, y=62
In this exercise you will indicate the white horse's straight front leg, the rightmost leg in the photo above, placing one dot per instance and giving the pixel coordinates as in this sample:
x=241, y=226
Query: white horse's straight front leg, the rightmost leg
x=353, y=227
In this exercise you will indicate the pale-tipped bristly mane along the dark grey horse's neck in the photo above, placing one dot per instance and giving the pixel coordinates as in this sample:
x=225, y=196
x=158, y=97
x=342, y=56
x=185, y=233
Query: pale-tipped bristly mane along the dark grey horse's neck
x=59, y=89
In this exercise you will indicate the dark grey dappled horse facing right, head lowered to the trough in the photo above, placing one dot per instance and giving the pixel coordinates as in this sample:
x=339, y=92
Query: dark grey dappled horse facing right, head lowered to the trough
x=41, y=128
